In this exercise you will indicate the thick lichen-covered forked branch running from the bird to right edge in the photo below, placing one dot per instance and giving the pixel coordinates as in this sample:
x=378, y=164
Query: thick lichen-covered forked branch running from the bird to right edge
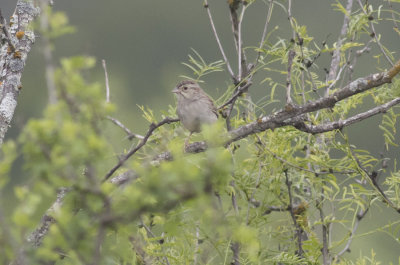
x=294, y=117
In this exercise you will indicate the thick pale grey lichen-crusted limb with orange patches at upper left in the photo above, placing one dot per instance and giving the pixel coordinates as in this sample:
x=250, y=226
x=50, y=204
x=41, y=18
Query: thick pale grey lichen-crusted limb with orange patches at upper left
x=12, y=63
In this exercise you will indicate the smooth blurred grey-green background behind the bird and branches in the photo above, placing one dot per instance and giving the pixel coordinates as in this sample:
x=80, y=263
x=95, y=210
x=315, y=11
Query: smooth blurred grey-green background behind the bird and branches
x=144, y=43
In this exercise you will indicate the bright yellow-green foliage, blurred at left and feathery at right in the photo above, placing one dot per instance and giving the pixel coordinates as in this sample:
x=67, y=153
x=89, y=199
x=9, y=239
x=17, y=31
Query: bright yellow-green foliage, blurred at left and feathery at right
x=197, y=208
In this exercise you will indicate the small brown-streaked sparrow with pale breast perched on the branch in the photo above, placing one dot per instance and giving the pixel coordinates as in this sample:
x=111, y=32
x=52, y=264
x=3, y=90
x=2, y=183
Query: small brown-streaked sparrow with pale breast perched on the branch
x=194, y=107
